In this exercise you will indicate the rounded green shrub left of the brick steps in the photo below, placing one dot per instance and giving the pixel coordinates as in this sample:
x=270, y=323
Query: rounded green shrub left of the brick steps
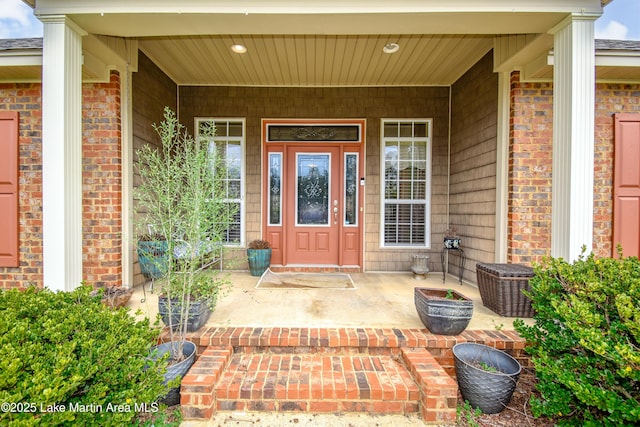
x=66, y=359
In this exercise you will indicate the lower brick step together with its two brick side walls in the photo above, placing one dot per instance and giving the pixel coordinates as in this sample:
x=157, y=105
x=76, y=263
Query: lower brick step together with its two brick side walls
x=411, y=382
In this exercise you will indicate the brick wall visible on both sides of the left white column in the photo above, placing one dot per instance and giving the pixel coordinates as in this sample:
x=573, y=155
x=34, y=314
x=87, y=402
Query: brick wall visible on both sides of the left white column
x=102, y=216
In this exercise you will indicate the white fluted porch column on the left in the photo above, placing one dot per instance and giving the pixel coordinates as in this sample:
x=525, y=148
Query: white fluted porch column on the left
x=62, y=153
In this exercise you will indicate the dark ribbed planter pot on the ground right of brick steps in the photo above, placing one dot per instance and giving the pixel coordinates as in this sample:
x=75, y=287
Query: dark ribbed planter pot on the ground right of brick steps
x=487, y=389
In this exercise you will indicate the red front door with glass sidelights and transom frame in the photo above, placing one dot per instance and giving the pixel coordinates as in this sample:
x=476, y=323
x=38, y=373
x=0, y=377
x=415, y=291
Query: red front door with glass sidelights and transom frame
x=314, y=197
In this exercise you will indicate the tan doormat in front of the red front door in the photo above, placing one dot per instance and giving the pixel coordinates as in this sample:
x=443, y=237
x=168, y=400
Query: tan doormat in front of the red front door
x=271, y=280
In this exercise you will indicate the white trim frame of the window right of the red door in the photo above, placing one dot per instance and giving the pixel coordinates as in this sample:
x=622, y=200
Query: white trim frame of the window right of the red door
x=429, y=174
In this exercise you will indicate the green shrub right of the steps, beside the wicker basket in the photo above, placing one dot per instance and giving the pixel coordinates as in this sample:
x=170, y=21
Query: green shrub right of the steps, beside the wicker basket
x=585, y=340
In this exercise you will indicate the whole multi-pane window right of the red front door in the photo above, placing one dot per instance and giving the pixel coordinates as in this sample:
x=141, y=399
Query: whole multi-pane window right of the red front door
x=406, y=182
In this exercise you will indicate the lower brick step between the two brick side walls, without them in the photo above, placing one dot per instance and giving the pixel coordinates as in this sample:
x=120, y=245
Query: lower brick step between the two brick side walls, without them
x=316, y=383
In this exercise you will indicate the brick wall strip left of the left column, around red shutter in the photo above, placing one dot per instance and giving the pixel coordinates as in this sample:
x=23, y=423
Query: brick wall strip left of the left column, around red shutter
x=26, y=99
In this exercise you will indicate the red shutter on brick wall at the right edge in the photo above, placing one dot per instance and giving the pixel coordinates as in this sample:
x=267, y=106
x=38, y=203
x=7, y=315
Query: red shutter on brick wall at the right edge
x=626, y=198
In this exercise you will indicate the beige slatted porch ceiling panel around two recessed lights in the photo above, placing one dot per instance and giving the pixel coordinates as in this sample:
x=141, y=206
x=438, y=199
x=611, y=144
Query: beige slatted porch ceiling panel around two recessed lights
x=317, y=60
